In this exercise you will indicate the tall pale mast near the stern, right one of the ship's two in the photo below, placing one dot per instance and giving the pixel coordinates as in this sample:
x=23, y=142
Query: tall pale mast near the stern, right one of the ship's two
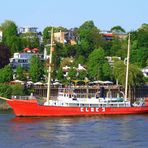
x=127, y=67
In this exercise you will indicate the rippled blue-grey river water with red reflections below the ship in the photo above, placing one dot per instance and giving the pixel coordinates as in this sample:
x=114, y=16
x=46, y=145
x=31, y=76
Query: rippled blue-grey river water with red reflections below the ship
x=126, y=131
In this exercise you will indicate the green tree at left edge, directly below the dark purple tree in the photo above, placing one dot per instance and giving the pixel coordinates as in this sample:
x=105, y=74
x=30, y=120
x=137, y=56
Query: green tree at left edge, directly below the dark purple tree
x=6, y=74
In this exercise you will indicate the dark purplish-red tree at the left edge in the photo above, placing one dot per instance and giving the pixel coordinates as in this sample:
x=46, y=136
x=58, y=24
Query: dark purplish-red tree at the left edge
x=4, y=55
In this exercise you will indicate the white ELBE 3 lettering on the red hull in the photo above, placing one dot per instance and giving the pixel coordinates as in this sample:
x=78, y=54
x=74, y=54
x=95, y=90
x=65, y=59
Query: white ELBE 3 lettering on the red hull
x=92, y=109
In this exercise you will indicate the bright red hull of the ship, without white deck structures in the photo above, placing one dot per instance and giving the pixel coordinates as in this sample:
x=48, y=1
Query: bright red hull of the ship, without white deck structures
x=32, y=108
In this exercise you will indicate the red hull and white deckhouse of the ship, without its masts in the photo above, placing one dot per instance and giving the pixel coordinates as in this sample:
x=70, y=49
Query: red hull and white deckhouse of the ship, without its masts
x=77, y=107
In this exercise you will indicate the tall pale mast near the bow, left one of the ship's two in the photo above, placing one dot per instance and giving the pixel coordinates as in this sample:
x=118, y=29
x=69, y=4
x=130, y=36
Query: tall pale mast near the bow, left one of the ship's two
x=49, y=68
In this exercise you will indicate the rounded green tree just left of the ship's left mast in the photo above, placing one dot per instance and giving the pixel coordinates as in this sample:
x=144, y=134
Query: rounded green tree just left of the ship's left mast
x=36, y=70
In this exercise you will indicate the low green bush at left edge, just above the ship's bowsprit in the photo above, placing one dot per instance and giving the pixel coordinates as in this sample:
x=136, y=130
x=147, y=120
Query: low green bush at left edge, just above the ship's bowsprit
x=5, y=90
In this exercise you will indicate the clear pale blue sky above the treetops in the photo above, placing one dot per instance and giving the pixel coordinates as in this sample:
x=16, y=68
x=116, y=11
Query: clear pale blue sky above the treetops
x=129, y=14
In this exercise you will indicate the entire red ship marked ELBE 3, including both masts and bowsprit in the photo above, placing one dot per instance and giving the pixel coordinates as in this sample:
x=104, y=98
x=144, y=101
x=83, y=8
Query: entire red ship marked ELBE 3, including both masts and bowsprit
x=69, y=103
